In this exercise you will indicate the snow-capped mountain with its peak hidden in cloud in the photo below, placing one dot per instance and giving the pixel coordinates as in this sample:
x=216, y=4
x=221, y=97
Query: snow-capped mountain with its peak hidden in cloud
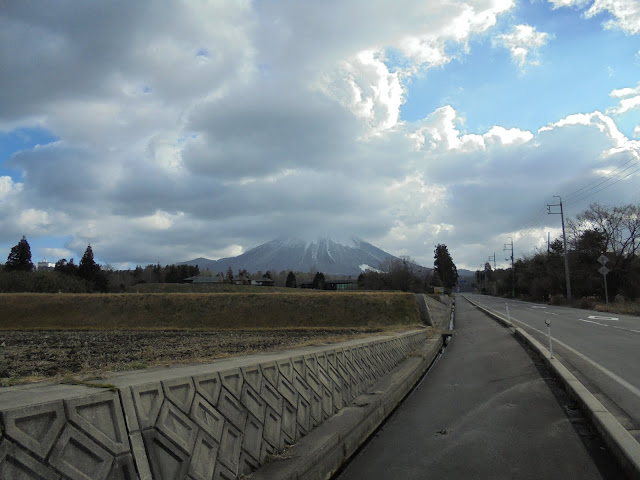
x=323, y=255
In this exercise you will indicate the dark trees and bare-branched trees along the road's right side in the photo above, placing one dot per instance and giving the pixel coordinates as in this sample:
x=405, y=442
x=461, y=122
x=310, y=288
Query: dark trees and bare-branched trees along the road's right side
x=599, y=230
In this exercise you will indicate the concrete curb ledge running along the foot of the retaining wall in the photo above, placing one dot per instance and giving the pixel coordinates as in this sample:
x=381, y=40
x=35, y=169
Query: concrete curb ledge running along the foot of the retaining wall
x=318, y=455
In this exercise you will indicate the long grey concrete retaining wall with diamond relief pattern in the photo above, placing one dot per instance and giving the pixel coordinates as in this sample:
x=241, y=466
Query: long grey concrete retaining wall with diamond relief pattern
x=218, y=420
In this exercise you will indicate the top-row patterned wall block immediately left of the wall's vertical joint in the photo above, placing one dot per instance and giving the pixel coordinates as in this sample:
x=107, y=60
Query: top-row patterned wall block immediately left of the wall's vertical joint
x=100, y=416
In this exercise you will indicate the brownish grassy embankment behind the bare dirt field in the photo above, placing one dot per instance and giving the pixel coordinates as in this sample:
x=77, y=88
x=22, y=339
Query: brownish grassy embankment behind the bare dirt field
x=244, y=309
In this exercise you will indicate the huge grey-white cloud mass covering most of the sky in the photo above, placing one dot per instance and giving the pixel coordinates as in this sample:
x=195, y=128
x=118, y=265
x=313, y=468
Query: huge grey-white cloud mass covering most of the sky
x=206, y=129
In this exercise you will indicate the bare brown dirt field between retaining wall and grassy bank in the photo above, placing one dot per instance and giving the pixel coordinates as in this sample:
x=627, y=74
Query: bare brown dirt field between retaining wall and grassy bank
x=35, y=355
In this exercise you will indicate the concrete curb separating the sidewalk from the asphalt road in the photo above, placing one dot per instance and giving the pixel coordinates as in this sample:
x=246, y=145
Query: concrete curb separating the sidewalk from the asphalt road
x=620, y=442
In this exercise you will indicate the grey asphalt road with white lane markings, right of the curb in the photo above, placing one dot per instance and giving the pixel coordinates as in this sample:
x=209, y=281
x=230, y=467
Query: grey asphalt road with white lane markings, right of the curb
x=601, y=349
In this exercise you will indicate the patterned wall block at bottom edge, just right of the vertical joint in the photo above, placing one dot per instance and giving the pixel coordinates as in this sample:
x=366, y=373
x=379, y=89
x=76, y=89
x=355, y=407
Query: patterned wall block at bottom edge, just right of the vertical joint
x=167, y=462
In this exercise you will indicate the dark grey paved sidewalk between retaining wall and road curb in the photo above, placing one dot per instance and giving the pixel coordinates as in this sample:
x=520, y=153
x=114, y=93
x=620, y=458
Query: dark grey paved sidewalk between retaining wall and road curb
x=486, y=410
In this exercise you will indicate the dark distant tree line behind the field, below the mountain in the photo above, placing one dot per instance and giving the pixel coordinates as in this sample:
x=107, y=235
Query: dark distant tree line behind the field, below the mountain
x=18, y=275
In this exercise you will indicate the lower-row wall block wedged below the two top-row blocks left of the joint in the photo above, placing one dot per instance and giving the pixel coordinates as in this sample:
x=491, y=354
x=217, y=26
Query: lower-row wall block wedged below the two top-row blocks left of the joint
x=80, y=458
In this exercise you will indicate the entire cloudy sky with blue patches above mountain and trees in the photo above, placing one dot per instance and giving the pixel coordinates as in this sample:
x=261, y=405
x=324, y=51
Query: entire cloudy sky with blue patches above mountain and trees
x=158, y=133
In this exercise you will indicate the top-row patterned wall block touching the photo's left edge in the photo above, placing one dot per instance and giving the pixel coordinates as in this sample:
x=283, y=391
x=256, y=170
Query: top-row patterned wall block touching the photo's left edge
x=36, y=427
